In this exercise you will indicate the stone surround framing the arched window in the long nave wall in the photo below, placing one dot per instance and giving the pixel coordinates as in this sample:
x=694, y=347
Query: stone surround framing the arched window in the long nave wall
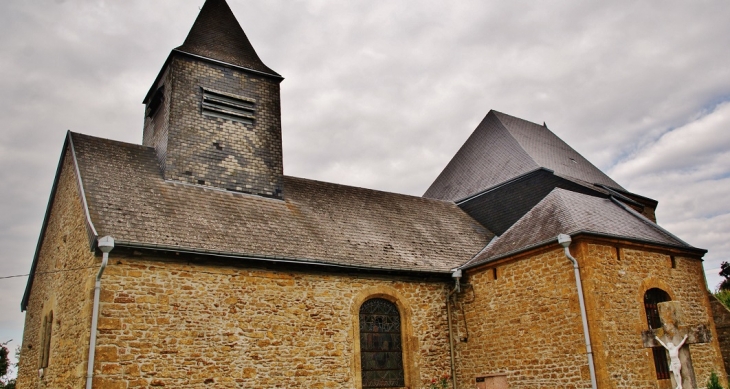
x=408, y=340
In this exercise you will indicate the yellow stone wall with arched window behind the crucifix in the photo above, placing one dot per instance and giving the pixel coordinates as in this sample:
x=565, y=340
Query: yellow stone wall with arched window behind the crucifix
x=615, y=279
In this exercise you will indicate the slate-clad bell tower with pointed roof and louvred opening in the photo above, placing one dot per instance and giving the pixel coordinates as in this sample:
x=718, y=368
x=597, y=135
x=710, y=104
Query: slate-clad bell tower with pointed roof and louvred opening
x=213, y=114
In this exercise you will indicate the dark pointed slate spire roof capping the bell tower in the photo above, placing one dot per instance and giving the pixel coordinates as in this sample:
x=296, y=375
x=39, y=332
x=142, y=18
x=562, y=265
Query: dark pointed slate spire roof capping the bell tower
x=216, y=34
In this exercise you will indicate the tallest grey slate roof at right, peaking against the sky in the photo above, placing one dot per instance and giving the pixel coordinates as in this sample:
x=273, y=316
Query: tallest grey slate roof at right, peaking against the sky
x=504, y=147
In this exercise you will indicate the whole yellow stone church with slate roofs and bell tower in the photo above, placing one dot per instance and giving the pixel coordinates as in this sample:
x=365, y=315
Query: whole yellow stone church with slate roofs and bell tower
x=193, y=261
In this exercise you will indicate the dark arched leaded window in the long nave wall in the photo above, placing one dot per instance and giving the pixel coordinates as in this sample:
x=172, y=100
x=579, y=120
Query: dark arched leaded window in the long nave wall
x=381, y=354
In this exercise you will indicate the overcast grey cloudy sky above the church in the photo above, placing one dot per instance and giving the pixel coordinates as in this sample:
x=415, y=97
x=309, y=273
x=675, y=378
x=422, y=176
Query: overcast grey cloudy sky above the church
x=381, y=94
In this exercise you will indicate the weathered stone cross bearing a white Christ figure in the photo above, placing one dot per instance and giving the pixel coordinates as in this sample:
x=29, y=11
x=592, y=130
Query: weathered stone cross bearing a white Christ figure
x=674, y=331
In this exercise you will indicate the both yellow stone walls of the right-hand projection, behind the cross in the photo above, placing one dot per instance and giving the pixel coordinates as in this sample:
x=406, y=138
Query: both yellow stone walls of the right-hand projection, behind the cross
x=526, y=323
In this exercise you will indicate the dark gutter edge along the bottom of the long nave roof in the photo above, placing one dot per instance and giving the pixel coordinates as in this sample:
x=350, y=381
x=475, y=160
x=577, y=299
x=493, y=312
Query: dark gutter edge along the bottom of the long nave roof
x=265, y=258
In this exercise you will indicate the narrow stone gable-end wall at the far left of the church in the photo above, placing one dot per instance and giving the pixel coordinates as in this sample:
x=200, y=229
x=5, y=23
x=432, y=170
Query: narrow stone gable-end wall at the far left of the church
x=63, y=283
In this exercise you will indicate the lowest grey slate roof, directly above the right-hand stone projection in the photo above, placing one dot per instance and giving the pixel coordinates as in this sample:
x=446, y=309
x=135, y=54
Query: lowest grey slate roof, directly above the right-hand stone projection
x=567, y=212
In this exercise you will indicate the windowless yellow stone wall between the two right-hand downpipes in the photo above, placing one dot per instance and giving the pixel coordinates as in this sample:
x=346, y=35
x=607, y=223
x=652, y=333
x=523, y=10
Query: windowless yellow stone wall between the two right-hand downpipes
x=525, y=324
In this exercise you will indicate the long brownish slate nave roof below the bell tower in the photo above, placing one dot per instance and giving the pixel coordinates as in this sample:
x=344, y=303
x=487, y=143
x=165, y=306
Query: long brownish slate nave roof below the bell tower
x=318, y=222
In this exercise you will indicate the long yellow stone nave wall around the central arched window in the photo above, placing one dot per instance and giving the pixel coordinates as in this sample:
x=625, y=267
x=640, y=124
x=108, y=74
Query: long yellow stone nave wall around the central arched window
x=174, y=324
